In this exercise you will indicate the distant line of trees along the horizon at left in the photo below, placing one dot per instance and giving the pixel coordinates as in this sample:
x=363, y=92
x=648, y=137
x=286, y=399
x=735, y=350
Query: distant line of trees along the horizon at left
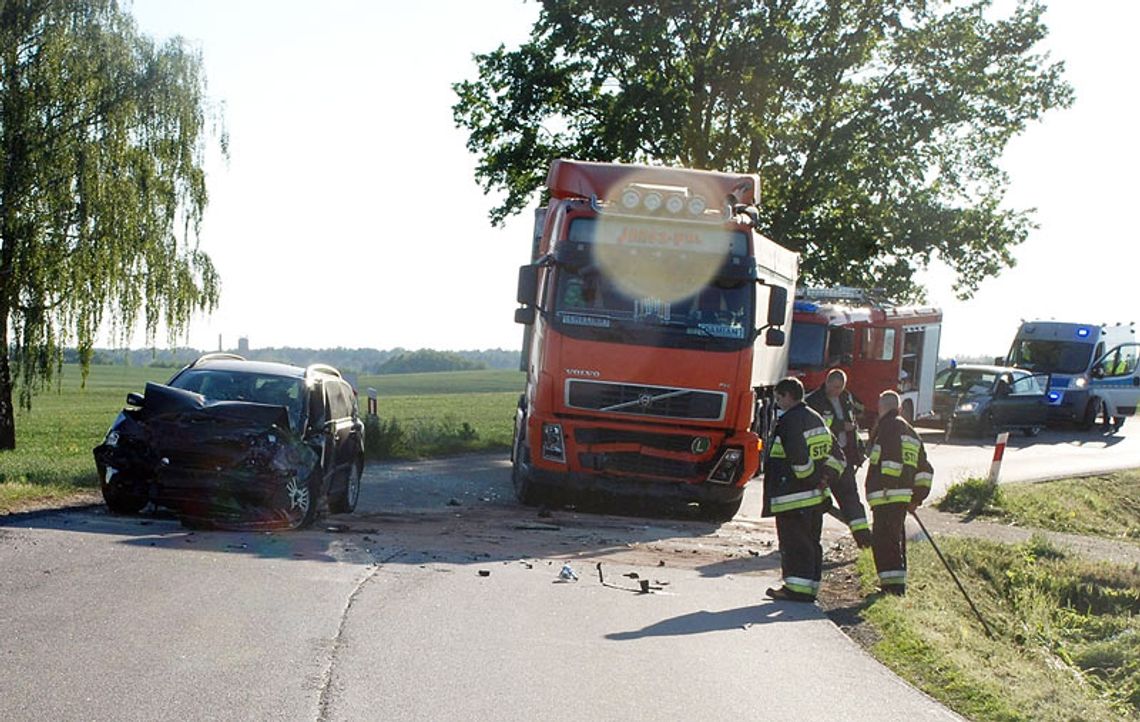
x=349, y=361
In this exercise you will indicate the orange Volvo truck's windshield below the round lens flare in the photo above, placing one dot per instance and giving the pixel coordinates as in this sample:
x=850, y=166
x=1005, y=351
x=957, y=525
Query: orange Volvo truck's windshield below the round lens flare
x=588, y=304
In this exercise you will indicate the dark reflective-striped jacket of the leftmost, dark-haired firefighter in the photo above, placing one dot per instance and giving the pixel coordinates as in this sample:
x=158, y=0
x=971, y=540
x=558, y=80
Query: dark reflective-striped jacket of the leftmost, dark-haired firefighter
x=797, y=459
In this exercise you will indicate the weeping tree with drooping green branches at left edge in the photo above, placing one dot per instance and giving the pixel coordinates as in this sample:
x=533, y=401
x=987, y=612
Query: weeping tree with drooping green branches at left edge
x=102, y=188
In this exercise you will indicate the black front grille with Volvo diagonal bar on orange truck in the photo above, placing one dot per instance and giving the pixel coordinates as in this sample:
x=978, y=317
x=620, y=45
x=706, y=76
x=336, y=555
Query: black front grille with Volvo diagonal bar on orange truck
x=646, y=401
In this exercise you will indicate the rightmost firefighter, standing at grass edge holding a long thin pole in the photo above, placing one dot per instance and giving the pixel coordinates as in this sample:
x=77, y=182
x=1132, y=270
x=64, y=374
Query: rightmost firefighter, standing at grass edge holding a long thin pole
x=898, y=480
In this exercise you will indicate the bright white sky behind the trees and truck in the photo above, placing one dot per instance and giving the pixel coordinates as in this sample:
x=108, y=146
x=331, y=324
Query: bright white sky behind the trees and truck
x=348, y=214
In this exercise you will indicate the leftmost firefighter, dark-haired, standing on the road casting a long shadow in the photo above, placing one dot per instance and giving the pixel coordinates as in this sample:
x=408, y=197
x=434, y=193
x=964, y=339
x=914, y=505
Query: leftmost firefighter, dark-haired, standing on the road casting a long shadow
x=796, y=492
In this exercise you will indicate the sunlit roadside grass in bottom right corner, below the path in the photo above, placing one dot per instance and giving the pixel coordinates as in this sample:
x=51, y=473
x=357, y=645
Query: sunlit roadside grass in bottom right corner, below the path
x=1068, y=632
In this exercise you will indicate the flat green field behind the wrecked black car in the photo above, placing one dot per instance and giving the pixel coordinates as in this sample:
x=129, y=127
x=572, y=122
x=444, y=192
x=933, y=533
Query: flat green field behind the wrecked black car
x=55, y=440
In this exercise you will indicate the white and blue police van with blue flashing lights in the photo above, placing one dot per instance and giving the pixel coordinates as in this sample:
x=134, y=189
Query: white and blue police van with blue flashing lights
x=1094, y=369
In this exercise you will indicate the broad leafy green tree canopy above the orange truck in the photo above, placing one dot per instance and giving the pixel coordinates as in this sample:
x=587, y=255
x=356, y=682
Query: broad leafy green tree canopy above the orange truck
x=877, y=126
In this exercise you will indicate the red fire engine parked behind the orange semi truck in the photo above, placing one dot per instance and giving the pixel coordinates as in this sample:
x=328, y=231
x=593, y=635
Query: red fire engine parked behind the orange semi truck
x=881, y=346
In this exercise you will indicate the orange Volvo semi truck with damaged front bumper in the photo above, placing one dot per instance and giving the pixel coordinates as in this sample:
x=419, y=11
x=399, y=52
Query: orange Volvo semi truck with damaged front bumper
x=655, y=319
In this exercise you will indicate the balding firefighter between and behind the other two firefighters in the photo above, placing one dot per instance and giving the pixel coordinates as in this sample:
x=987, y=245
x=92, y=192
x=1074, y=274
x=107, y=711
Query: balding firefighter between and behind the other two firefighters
x=835, y=403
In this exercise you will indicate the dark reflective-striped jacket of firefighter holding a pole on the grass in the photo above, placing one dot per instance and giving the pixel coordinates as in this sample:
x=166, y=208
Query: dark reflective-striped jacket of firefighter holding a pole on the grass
x=899, y=473
